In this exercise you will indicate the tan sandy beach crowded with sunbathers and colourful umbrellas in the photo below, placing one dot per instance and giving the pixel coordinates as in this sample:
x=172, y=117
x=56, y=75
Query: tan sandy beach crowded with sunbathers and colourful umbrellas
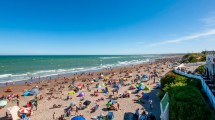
x=60, y=89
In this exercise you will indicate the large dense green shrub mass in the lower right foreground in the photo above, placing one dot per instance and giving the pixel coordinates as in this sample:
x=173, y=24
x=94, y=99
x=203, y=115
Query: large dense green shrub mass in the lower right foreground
x=186, y=100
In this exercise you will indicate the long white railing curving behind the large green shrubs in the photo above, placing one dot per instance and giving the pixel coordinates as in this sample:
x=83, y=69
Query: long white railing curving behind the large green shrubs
x=204, y=85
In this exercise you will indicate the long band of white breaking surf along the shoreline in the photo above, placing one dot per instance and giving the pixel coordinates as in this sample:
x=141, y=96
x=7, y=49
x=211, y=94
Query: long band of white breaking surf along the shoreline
x=46, y=73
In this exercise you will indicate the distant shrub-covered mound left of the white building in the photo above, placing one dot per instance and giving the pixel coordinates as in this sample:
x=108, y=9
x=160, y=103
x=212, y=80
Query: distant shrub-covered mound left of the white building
x=194, y=57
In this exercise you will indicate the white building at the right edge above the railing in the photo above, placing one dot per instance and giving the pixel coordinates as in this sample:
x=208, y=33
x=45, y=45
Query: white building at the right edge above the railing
x=210, y=65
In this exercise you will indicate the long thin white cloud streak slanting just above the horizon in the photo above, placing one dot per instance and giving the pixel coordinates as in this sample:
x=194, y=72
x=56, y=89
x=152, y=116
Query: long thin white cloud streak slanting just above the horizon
x=185, y=38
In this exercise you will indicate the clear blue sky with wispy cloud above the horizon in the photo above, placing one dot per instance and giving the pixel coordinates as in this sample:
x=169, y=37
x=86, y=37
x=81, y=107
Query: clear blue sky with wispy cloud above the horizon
x=91, y=27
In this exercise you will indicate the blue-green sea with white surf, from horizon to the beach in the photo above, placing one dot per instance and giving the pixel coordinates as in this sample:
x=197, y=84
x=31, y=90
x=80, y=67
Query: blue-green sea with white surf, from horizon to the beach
x=18, y=68
